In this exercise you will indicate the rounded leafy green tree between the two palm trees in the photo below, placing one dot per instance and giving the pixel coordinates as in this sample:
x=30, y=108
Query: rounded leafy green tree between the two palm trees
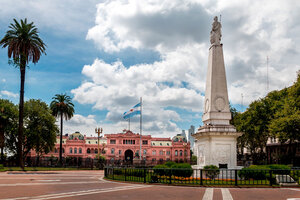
x=40, y=131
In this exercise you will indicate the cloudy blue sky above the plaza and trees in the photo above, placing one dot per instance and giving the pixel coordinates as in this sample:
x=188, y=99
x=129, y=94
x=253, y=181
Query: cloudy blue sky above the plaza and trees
x=108, y=54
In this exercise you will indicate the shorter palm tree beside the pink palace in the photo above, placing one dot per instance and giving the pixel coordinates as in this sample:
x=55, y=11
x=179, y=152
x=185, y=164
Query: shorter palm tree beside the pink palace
x=62, y=106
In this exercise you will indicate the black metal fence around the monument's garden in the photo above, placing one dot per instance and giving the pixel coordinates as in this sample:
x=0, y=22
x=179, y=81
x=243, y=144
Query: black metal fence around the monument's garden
x=201, y=177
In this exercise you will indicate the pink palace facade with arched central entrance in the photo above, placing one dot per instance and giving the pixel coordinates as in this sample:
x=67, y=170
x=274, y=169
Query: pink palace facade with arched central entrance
x=123, y=146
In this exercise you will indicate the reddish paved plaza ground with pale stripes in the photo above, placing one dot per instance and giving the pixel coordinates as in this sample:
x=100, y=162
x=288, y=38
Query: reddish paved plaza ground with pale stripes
x=90, y=185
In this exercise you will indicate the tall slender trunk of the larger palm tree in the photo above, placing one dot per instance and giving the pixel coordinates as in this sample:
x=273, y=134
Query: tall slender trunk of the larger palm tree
x=21, y=111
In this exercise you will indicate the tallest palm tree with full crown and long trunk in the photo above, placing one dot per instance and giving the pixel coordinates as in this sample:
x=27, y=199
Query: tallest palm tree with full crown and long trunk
x=24, y=45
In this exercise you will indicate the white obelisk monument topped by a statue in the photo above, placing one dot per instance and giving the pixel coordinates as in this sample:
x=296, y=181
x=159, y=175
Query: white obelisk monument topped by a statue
x=216, y=140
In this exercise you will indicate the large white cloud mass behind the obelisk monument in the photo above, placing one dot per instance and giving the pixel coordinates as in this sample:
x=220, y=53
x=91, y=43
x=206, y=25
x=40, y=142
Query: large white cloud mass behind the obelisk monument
x=179, y=31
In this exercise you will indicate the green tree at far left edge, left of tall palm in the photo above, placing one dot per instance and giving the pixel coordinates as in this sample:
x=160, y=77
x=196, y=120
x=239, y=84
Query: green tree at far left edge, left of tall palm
x=8, y=122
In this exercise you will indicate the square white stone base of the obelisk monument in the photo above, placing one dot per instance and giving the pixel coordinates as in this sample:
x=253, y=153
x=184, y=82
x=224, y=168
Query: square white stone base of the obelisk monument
x=216, y=144
